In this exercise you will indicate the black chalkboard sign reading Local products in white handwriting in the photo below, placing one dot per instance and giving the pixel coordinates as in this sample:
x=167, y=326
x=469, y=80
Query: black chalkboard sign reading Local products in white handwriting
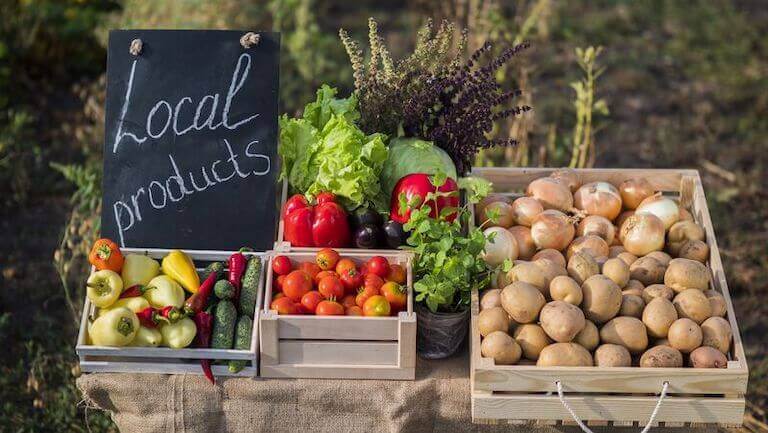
x=190, y=149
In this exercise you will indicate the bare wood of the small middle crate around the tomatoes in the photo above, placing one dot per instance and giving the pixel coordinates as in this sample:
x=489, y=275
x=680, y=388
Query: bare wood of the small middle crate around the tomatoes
x=339, y=347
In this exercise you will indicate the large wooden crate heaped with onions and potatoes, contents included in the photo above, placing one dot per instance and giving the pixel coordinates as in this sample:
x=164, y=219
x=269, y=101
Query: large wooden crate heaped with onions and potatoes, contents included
x=608, y=306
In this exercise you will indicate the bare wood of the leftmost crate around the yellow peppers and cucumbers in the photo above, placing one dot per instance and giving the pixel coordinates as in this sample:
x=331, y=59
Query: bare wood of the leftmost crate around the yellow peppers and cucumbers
x=164, y=360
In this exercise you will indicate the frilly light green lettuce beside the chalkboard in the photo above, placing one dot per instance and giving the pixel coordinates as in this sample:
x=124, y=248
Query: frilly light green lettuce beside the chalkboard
x=326, y=151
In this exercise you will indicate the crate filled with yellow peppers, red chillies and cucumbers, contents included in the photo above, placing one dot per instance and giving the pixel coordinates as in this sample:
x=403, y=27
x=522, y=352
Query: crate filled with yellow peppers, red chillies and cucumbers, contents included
x=171, y=311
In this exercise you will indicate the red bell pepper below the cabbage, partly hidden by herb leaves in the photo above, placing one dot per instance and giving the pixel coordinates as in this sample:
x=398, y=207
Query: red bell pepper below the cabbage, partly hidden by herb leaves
x=419, y=185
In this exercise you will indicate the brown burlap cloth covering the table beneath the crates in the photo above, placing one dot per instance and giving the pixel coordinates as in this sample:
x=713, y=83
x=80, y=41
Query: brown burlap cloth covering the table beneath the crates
x=437, y=401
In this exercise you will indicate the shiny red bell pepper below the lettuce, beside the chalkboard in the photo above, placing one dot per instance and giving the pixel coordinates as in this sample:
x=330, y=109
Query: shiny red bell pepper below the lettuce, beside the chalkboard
x=322, y=225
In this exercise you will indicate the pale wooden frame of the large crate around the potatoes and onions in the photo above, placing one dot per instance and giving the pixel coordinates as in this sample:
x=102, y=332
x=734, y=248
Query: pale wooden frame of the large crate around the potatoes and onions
x=613, y=396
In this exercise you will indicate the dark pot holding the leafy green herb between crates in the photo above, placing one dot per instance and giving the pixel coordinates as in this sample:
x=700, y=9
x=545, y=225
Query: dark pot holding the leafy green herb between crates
x=439, y=335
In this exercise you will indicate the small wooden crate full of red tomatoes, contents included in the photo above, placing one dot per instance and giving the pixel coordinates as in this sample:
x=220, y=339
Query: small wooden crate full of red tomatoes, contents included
x=333, y=315
